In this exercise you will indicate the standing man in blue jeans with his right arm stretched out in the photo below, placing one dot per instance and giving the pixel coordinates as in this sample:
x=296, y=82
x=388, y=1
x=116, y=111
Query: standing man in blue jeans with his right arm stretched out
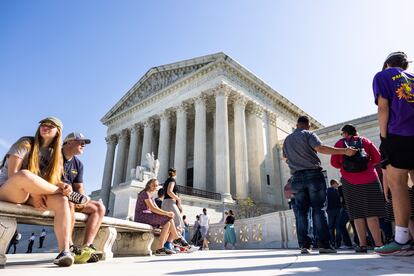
x=308, y=182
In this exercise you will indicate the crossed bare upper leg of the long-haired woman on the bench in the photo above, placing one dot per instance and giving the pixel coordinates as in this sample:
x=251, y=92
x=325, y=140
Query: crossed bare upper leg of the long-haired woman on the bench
x=18, y=187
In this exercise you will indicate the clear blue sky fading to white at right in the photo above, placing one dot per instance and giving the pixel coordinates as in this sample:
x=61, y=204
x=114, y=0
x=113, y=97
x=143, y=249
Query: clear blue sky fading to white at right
x=76, y=59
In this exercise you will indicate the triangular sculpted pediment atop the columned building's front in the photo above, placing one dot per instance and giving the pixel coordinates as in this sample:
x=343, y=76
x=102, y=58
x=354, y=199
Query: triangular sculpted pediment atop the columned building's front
x=158, y=78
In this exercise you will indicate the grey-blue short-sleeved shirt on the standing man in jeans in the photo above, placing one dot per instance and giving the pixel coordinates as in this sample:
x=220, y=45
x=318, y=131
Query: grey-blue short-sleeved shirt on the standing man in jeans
x=299, y=149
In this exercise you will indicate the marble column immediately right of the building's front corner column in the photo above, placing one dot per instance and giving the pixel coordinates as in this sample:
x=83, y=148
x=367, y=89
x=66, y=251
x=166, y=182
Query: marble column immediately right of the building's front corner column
x=240, y=145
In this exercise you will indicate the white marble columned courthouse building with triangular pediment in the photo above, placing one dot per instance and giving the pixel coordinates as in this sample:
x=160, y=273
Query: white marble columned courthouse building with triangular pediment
x=213, y=120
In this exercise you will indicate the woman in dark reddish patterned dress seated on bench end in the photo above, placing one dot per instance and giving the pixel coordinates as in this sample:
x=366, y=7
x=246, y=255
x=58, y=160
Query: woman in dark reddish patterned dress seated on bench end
x=146, y=211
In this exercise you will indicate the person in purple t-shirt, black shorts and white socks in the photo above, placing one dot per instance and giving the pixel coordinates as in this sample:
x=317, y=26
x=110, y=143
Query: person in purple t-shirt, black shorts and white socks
x=394, y=94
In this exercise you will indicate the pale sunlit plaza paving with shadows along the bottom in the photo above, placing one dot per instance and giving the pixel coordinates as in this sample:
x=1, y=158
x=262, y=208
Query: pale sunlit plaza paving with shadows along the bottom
x=219, y=262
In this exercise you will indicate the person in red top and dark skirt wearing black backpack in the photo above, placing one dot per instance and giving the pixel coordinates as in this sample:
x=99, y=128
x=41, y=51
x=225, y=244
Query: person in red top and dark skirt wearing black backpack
x=361, y=187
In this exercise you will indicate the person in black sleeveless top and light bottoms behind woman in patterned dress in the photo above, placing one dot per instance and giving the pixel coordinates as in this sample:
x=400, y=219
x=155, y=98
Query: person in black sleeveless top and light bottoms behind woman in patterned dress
x=171, y=202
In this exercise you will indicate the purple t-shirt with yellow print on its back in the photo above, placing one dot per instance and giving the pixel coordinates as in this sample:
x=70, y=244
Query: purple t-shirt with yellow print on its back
x=397, y=86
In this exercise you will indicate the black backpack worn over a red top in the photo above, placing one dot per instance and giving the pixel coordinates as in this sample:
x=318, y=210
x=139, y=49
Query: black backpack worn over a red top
x=358, y=162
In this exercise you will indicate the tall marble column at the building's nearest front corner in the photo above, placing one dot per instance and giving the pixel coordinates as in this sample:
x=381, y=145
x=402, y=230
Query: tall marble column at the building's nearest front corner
x=221, y=134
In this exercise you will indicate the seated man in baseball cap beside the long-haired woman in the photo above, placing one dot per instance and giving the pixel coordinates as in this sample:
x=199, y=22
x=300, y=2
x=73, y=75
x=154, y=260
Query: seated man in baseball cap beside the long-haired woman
x=74, y=144
